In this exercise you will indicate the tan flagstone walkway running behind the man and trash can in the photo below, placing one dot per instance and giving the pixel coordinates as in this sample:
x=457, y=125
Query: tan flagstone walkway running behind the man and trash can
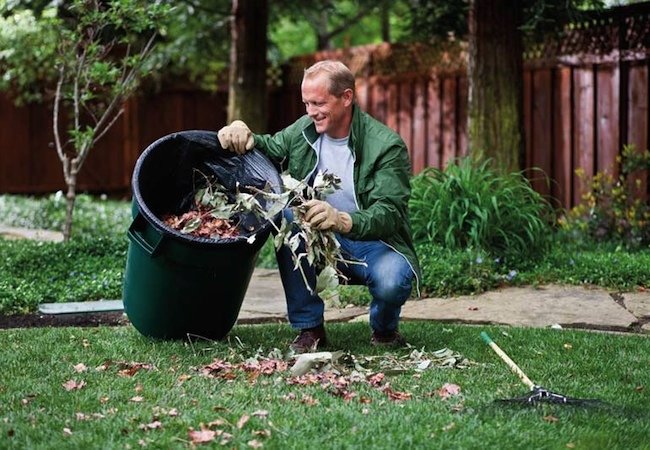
x=545, y=306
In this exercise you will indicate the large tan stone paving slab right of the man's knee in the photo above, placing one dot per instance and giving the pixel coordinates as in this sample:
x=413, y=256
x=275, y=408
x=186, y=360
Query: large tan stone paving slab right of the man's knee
x=573, y=307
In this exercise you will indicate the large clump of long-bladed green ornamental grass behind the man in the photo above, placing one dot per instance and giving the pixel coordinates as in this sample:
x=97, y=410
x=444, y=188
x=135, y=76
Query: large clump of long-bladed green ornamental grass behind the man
x=470, y=206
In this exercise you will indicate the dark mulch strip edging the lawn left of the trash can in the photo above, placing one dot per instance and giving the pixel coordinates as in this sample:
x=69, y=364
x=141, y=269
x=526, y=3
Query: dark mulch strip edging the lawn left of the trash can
x=63, y=320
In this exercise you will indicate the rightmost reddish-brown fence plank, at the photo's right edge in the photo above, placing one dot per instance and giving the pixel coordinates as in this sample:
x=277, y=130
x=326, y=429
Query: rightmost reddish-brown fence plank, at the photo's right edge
x=638, y=122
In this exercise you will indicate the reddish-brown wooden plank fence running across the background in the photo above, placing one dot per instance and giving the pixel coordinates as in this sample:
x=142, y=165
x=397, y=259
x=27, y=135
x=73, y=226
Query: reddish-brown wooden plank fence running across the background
x=585, y=96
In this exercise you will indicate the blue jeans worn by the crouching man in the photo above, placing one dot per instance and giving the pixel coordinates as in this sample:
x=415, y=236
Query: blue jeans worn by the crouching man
x=387, y=274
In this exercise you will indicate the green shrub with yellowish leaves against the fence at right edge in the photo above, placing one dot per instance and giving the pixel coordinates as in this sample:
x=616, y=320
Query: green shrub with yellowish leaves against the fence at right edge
x=611, y=211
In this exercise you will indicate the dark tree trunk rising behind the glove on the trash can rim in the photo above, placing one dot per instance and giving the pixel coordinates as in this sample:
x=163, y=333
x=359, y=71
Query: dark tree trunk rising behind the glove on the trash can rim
x=247, y=99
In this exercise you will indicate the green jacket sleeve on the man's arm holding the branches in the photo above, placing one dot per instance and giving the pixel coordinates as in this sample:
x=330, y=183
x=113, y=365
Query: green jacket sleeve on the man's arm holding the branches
x=384, y=196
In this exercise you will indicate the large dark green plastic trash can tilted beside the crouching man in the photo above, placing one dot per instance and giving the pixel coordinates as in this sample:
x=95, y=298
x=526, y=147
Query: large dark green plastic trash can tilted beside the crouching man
x=177, y=285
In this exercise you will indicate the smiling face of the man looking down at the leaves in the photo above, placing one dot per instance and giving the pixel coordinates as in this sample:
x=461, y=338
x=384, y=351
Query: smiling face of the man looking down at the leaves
x=331, y=114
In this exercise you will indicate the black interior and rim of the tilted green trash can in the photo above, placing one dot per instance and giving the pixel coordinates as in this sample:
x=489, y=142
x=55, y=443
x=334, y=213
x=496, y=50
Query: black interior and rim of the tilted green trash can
x=171, y=170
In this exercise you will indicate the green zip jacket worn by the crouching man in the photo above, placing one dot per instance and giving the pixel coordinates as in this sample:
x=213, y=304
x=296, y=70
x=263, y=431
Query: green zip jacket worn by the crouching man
x=381, y=177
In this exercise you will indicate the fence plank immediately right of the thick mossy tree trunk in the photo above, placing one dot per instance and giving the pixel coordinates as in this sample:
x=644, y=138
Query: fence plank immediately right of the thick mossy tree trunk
x=541, y=126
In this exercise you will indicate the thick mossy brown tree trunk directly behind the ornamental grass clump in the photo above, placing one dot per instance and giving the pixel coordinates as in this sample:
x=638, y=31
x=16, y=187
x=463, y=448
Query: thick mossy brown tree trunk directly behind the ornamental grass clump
x=495, y=109
